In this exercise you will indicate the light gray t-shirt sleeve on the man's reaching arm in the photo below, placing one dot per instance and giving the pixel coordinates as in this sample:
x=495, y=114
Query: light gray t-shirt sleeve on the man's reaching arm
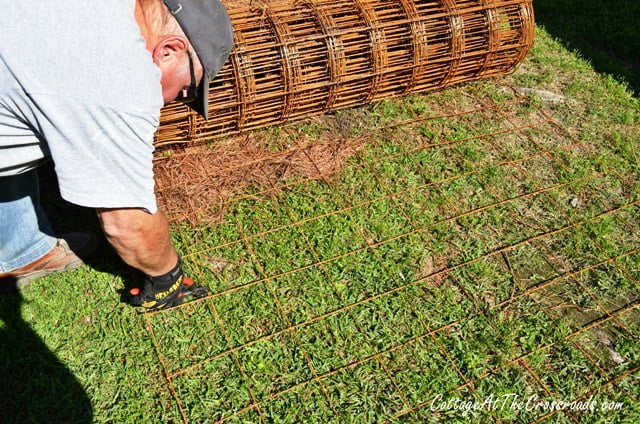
x=103, y=157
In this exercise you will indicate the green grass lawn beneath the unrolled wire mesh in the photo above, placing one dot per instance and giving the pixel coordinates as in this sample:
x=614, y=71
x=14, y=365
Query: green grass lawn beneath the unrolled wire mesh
x=478, y=243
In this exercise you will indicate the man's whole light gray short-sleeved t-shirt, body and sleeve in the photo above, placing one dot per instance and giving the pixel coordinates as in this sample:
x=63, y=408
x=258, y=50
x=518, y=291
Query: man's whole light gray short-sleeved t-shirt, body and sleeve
x=77, y=83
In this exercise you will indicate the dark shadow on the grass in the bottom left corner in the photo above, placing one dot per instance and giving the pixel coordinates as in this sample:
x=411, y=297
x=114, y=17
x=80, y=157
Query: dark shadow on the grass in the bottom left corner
x=36, y=385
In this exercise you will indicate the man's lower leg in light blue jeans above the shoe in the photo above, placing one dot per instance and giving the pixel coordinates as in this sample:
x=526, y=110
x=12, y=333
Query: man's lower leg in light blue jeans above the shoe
x=25, y=233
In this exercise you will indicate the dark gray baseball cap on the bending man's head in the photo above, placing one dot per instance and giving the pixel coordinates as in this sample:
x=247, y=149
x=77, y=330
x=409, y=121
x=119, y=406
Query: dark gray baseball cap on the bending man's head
x=208, y=28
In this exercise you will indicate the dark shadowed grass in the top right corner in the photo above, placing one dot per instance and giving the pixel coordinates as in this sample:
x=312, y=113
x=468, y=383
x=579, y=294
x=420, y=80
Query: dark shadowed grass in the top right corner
x=605, y=32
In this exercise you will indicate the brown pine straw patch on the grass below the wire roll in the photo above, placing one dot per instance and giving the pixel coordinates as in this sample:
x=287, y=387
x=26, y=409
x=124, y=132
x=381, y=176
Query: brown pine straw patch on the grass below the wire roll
x=197, y=183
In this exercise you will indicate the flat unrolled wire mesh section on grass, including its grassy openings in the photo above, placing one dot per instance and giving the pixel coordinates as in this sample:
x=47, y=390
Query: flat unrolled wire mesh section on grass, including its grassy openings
x=470, y=258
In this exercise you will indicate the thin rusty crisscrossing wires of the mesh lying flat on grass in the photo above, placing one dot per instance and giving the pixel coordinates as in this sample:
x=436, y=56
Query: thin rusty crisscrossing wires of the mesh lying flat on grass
x=498, y=253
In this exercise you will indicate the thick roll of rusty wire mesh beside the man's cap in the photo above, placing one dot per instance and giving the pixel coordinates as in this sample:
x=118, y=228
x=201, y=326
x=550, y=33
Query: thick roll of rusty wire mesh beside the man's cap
x=297, y=58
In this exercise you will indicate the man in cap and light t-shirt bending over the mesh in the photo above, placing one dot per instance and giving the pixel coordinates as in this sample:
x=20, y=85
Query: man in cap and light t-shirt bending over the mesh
x=83, y=83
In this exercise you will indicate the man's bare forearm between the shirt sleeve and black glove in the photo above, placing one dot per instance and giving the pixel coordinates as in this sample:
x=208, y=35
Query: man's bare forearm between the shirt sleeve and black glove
x=140, y=238
